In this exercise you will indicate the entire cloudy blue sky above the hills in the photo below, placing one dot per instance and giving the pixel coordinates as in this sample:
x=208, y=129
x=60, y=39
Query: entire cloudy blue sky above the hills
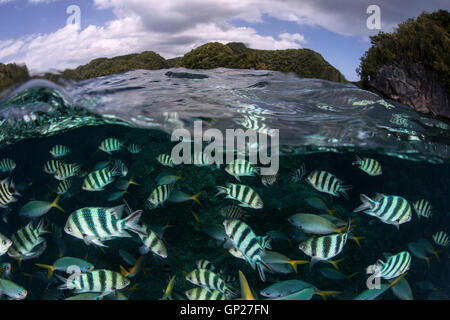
x=46, y=36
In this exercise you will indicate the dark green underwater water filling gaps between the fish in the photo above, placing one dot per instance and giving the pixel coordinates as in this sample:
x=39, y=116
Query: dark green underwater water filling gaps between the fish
x=412, y=180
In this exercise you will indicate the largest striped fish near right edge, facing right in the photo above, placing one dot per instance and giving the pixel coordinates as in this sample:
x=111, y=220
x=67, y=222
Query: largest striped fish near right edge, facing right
x=393, y=210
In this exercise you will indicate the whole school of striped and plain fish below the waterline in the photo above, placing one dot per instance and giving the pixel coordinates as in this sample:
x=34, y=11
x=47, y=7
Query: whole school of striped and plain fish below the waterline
x=322, y=239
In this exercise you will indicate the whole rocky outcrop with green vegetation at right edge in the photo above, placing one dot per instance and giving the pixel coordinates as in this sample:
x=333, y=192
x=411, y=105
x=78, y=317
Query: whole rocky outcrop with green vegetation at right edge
x=412, y=64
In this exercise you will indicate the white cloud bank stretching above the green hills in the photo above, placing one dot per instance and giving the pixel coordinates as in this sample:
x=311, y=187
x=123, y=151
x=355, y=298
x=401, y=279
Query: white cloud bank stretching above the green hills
x=173, y=27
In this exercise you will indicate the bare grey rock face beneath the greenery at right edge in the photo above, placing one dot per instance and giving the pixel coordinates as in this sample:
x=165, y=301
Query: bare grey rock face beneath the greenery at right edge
x=414, y=85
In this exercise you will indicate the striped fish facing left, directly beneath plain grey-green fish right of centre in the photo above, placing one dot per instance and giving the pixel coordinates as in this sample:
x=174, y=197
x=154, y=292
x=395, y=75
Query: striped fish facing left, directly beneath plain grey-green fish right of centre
x=324, y=248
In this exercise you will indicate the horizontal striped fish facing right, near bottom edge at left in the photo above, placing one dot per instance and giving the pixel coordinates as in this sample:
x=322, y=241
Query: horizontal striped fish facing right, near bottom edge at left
x=105, y=281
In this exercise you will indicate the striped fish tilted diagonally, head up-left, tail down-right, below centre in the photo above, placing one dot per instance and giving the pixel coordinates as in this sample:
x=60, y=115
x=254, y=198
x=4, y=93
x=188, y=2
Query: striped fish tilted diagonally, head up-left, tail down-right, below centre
x=248, y=244
